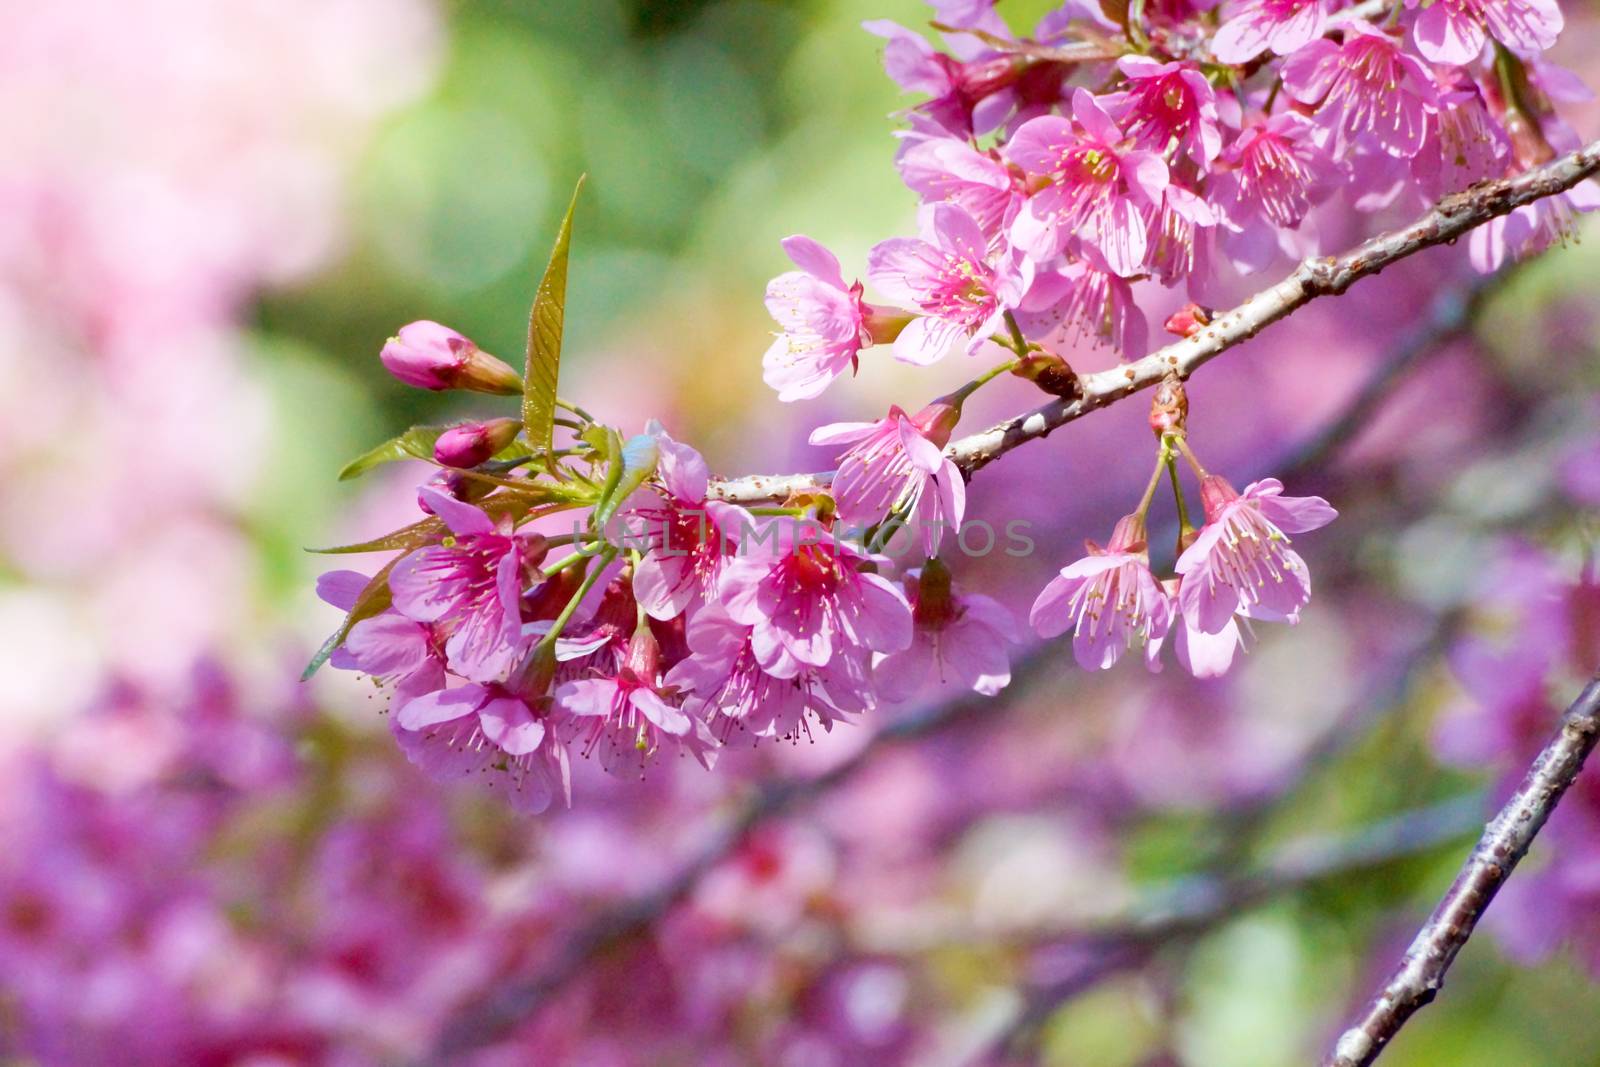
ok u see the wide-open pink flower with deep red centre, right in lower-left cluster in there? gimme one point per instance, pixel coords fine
(807, 597)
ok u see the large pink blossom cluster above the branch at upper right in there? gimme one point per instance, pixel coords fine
(1175, 145)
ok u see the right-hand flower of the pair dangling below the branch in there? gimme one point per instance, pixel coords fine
(1242, 562)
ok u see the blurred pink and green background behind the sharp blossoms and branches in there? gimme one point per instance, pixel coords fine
(215, 215)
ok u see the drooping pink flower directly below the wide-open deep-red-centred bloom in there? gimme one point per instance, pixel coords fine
(730, 687)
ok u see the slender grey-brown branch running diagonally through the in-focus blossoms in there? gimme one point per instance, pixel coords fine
(1447, 222)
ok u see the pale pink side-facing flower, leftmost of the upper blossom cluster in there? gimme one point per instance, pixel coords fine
(825, 324)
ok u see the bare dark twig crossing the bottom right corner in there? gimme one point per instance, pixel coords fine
(1420, 975)
